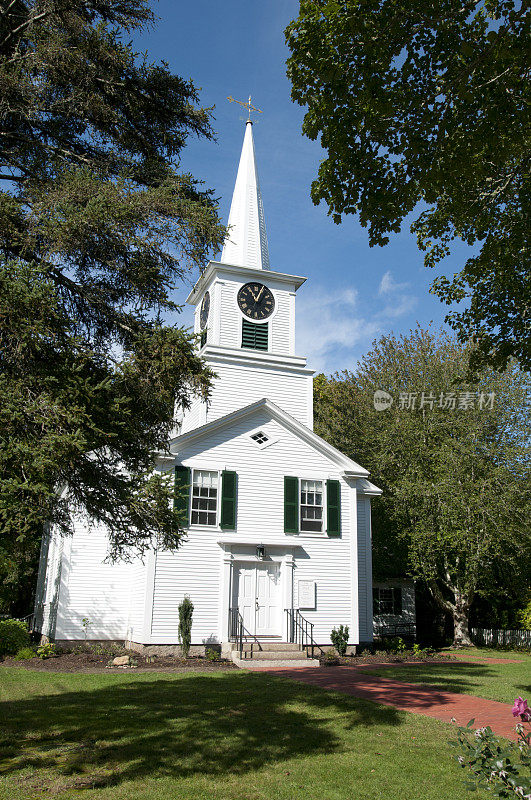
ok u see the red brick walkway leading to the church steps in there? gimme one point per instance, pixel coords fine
(412, 697)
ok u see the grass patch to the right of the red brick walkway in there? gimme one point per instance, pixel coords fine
(501, 682)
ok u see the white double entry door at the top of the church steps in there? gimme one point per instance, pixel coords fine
(256, 593)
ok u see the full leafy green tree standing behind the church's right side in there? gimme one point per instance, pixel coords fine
(452, 458)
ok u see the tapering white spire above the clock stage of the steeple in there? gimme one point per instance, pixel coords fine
(246, 242)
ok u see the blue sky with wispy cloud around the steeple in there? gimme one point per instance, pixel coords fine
(354, 293)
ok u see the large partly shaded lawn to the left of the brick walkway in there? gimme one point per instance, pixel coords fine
(224, 736)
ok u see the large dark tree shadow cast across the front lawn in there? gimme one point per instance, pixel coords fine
(230, 723)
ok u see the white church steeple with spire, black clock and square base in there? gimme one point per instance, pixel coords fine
(245, 315)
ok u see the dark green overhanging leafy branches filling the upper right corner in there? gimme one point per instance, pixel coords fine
(427, 101)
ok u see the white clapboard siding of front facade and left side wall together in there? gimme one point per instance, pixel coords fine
(117, 600)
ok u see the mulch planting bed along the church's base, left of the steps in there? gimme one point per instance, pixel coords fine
(92, 663)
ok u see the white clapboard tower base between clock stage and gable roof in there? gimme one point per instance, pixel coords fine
(239, 385)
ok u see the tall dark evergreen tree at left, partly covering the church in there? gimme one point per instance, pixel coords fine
(97, 225)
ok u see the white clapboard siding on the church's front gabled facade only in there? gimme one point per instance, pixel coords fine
(195, 569)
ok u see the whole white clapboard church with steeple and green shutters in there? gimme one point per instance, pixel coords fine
(278, 545)
